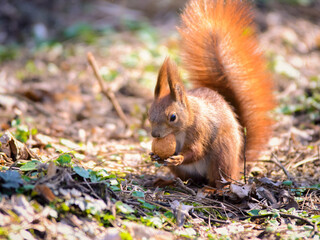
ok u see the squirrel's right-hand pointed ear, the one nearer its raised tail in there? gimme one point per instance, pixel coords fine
(177, 91)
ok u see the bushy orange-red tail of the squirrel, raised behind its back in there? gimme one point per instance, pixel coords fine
(220, 52)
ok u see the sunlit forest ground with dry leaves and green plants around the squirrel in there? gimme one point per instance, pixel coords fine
(72, 169)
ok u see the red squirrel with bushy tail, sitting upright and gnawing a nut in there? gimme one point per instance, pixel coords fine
(232, 91)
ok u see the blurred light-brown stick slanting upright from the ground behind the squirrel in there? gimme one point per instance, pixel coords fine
(107, 91)
